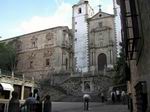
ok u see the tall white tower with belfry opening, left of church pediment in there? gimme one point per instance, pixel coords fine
(81, 12)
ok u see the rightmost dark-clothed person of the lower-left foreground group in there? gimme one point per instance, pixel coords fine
(47, 104)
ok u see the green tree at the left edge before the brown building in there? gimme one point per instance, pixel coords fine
(7, 56)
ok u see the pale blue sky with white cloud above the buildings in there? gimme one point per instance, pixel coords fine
(18, 17)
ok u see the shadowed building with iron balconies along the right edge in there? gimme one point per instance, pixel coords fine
(135, 16)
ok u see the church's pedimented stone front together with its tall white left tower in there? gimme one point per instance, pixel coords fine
(94, 38)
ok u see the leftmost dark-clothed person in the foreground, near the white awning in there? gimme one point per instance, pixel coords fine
(14, 103)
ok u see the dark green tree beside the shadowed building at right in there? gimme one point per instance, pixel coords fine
(120, 76)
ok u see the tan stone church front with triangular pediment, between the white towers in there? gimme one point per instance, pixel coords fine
(102, 42)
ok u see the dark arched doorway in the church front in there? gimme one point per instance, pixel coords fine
(102, 61)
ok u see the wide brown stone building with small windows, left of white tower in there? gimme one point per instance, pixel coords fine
(45, 52)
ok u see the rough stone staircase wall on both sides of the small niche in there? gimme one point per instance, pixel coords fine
(74, 85)
